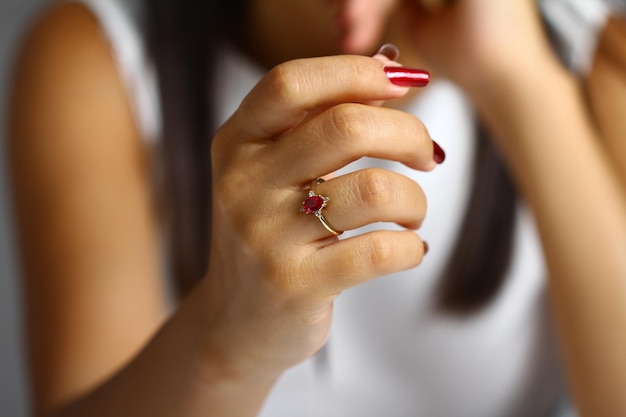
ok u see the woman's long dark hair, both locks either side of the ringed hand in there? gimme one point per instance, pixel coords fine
(183, 38)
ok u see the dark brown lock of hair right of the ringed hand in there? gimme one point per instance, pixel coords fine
(482, 254)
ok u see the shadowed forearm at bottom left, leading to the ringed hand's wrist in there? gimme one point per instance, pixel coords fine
(175, 376)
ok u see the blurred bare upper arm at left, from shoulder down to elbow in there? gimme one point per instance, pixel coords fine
(86, 223)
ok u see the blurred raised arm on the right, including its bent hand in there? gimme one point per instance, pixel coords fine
(538, 114)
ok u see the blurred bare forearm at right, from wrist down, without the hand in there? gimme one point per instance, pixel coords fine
(578, 202)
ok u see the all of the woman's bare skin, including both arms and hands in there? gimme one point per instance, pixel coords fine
(93, 246)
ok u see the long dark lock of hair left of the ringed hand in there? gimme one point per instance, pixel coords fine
(182, 39)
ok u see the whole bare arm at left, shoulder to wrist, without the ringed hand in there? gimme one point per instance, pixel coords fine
(99, 336)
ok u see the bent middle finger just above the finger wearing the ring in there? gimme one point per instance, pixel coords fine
(345, 133)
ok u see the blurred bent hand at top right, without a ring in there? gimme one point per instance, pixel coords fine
(479, 43)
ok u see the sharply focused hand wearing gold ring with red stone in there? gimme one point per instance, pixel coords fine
(274, 272)
